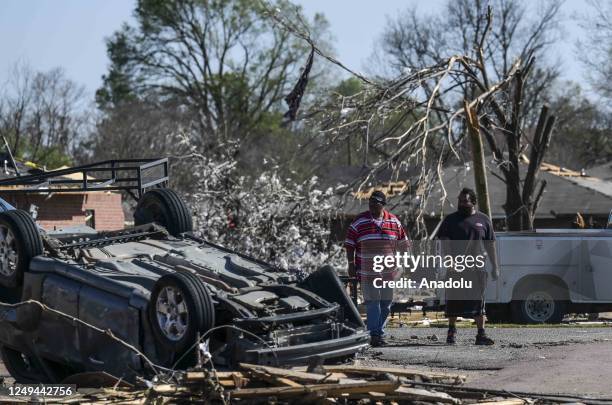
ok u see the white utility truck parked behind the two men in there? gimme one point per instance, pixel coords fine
(548, 273)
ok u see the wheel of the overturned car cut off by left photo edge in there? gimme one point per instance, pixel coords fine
(24, 242)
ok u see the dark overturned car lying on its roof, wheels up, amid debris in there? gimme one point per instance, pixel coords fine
(154, 295)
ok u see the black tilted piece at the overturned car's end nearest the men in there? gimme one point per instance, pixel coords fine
(326, 284)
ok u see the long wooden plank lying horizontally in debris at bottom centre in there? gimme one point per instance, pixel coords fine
(331, 390)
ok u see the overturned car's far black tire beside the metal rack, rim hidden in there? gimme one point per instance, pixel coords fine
(164, 207)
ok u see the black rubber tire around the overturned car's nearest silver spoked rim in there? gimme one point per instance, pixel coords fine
(200, 316)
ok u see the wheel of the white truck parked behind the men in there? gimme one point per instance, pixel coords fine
(541, 303)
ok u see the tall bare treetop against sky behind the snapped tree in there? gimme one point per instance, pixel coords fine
(412, 41)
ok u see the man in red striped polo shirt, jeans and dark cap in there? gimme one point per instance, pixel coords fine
(375, 232)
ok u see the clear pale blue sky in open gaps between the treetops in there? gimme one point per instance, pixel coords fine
(71, 33)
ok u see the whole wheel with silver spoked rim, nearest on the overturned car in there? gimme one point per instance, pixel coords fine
(180, 308)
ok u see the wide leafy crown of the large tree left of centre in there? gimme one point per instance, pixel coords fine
(223, 59)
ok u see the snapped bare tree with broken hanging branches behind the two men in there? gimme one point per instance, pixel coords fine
(425, 128)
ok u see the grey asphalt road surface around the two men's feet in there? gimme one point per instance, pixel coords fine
(560, 360)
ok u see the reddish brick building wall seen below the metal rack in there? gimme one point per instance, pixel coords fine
(61, 210)
